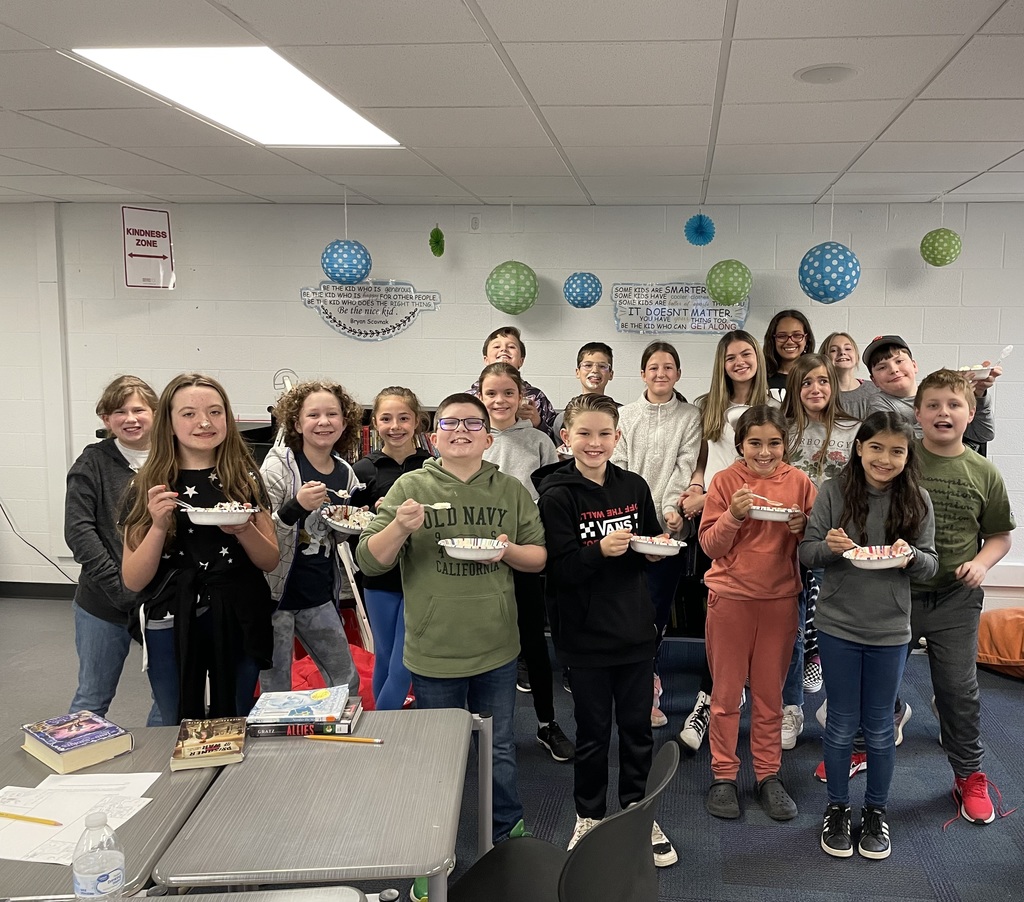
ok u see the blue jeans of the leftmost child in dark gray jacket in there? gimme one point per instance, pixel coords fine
(103, 649)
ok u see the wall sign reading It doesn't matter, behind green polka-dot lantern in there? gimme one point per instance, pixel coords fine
(653, 309)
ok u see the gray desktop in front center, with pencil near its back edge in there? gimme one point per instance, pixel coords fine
(298, 811)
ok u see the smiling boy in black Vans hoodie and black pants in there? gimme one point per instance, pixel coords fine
(603, 620)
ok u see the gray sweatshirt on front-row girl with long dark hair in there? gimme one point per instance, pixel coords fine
(872, 608)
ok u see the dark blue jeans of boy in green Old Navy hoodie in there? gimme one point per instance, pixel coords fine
(492, 692)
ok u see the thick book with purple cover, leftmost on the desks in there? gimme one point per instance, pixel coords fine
(72, 742)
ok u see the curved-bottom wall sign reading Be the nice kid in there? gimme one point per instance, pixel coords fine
(371, 311)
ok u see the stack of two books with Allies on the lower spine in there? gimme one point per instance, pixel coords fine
(306, 713)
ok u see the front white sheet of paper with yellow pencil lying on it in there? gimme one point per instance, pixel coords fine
(22, 841)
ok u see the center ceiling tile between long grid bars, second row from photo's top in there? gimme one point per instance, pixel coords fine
(611, 74)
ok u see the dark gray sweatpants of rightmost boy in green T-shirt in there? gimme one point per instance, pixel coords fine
(949, 620)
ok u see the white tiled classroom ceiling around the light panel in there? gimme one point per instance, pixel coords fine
(537, 102)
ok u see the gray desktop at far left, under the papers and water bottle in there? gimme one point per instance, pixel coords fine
(145, 837)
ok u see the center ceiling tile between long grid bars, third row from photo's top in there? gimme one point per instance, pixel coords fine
(635, 126)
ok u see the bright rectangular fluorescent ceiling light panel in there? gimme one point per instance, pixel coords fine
(250, 91)
